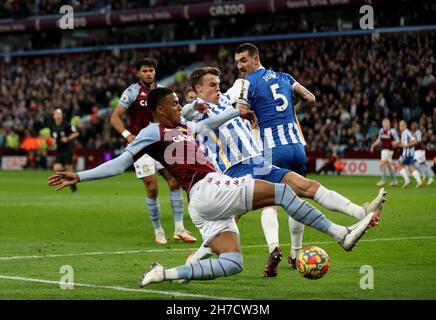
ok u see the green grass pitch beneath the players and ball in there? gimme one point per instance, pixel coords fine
(109, 215)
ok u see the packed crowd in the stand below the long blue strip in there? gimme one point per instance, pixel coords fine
(357, 82)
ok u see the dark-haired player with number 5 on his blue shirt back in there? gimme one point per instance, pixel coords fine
(270, 95)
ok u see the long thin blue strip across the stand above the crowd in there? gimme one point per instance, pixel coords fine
(201, 42)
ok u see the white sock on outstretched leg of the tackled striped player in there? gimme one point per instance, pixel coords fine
(334, 201)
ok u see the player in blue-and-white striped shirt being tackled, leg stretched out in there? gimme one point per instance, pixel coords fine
(233, 150)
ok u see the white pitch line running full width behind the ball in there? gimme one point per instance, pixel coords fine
(98, 253)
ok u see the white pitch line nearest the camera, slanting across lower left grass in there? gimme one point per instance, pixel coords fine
(86, 285)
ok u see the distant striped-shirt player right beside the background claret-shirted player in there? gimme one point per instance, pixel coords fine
(407, 143)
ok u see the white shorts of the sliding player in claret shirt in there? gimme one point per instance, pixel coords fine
(216, 199)
